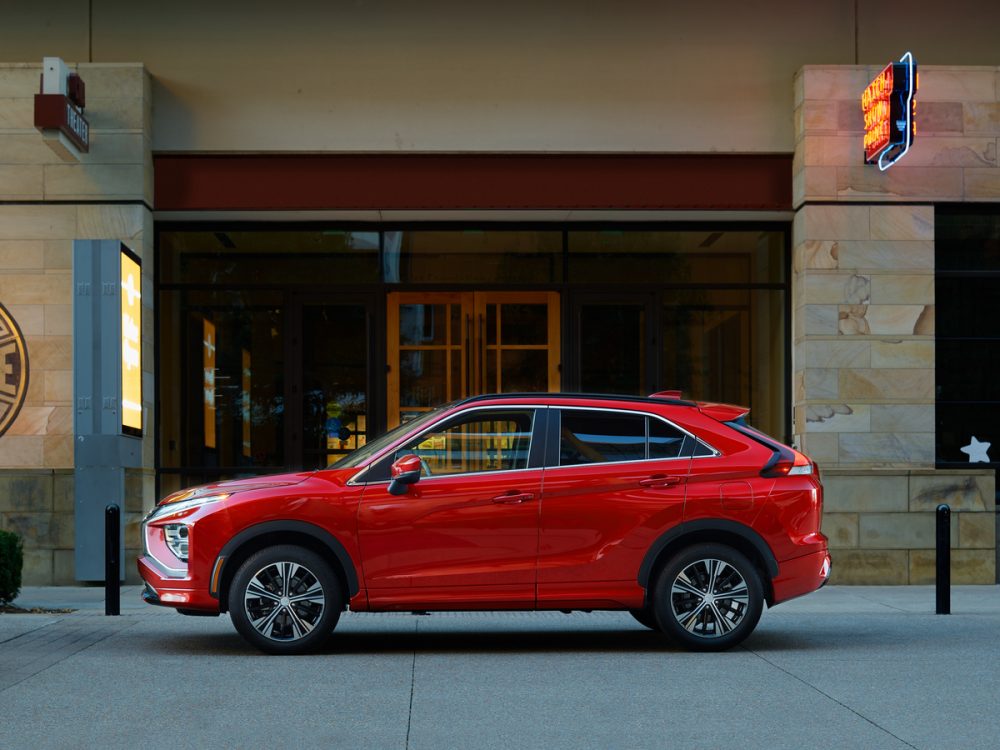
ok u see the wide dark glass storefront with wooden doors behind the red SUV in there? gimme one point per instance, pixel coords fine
(282, 348)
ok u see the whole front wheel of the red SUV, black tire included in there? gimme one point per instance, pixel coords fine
(296, 582)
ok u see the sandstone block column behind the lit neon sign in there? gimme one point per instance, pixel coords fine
(863, 319)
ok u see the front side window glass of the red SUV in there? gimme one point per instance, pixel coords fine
(496, 441)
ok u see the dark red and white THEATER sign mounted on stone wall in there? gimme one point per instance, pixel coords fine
(59, 110)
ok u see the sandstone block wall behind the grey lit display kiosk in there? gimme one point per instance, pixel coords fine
(46, 203)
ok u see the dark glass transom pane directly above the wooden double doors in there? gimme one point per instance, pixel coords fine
(473, 257)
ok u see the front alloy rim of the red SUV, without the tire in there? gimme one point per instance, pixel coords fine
(284, 601)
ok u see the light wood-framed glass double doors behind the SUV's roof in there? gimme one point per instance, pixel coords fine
(448, 345)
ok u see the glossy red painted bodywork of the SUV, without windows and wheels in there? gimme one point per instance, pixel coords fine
(556, 537)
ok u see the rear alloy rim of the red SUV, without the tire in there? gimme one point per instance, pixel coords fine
(709, 598)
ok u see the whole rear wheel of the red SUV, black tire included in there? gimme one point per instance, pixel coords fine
(685, 612)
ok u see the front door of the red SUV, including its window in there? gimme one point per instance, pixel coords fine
(467, 531)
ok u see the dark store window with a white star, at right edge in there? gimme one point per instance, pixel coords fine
(967, 346)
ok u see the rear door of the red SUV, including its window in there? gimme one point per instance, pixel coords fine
(613, 481)
